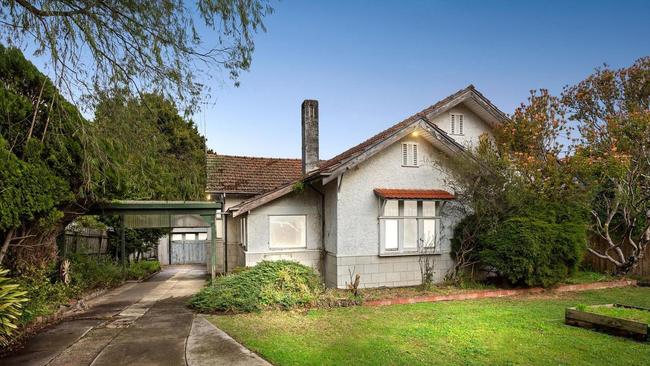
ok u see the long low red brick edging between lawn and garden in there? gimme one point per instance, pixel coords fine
(483, 294)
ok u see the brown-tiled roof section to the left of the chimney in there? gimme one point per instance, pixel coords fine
(250, 175)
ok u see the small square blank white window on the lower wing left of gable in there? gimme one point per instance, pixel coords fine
(287, 231)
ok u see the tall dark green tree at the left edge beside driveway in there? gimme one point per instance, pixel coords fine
(41, 150)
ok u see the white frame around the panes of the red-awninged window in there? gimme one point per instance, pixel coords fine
(401, 248)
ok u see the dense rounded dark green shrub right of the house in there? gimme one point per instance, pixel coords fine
(530, 251)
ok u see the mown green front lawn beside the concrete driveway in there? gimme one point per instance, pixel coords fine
(507, 331)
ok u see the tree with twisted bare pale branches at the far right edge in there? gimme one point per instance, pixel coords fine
(612, 109)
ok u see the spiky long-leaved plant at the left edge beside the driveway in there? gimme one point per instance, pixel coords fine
(11, 301)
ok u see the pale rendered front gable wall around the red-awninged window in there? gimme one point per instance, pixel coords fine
(357, 249)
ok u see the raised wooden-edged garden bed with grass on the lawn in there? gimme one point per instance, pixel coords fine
(623, 320)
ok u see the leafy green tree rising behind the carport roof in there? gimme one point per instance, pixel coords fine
(145, 150)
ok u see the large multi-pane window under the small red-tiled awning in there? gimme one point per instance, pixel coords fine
(407, 226)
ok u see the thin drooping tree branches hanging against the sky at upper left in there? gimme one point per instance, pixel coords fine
(140, 45)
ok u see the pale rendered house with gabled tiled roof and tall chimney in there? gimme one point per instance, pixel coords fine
(366, 210)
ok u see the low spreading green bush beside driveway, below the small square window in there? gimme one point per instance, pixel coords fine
(278, 284)
